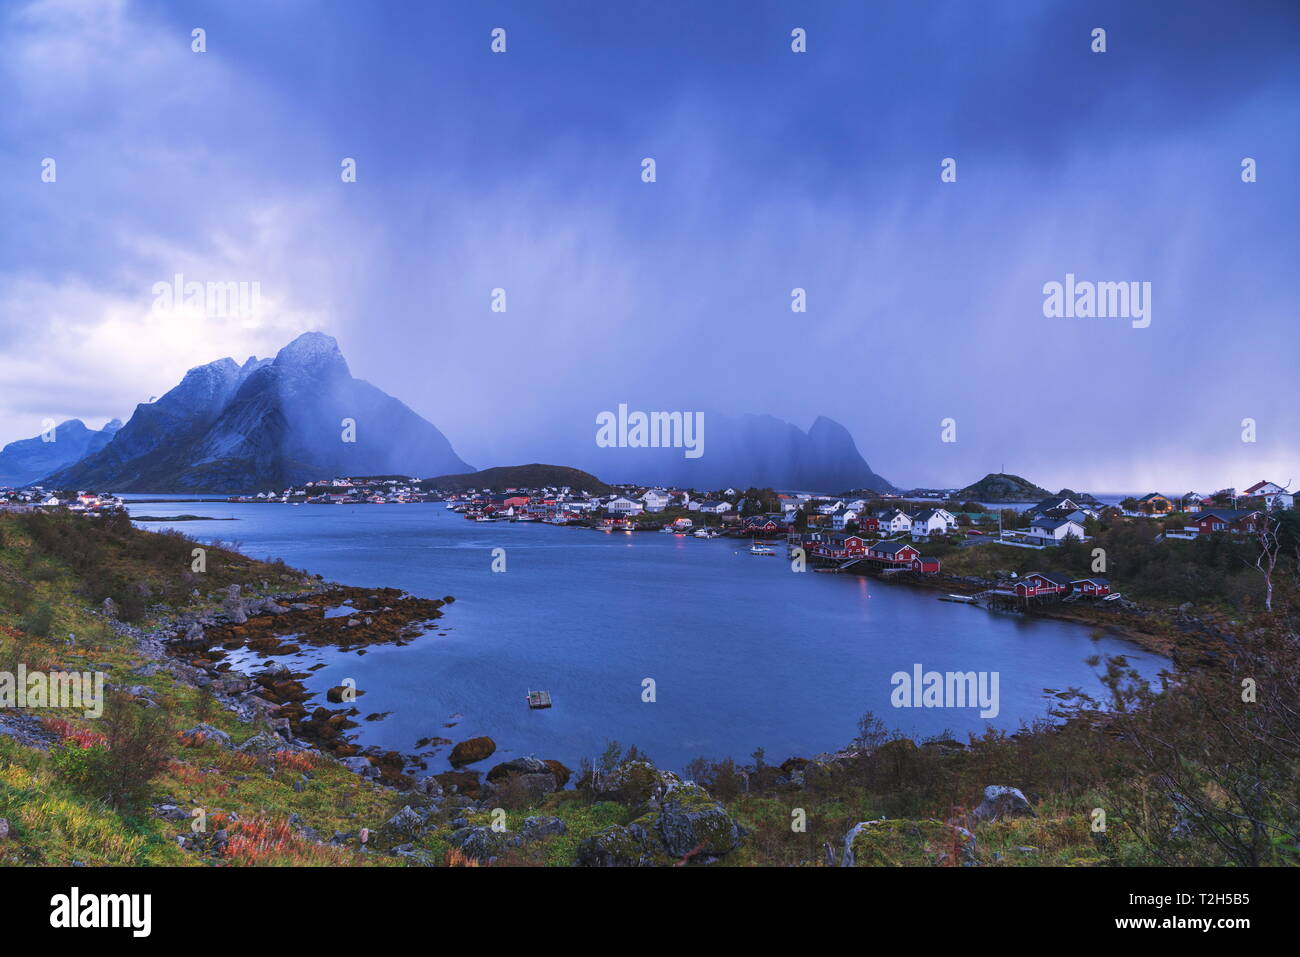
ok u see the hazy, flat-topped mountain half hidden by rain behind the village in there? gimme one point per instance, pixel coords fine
(744, 452)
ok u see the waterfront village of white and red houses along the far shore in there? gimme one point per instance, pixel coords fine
(879, 534)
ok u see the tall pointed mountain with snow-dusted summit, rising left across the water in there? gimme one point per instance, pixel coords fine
(266, 425)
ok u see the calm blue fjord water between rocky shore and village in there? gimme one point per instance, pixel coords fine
(744, 652)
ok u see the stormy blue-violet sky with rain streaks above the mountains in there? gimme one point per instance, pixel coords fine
(821, 171)
